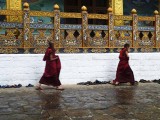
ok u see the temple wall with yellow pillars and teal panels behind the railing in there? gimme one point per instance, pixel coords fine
(120, 7)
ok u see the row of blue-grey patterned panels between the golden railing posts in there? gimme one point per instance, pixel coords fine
(70, 26)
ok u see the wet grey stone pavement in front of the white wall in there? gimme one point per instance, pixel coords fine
(77, 102)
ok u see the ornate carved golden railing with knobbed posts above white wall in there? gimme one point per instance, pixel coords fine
(28, 37)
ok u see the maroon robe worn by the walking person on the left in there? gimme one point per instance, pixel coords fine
(52, 69)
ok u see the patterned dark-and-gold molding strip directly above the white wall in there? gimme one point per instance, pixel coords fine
(74, 50)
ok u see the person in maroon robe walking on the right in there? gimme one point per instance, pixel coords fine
(124, 72)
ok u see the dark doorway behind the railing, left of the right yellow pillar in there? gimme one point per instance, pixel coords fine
(93, 6)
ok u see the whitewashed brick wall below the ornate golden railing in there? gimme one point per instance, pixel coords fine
(28, 68)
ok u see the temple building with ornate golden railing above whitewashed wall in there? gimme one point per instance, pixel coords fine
(87, 35)
